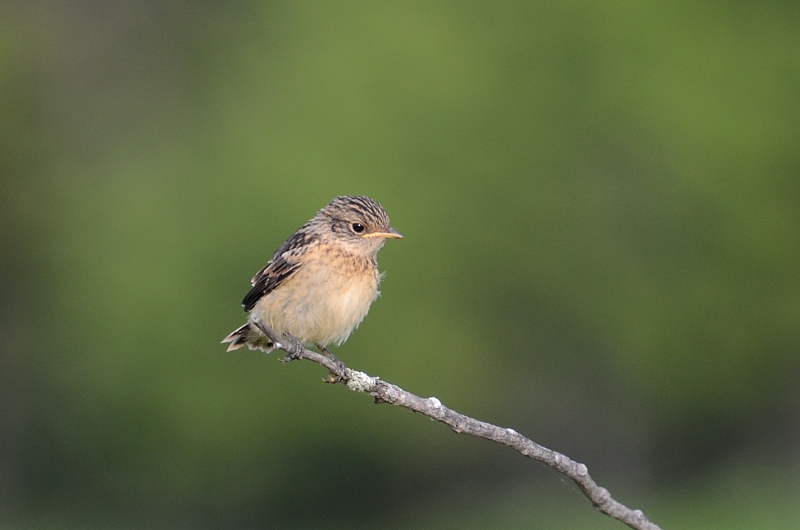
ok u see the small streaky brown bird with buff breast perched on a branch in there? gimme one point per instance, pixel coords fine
(319, 284)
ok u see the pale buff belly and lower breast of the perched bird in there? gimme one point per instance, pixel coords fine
(320, 308)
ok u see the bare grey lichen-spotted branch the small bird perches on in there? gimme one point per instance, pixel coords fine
(384, 392)
